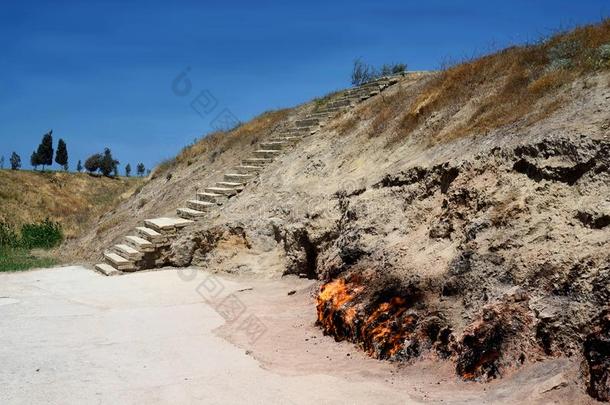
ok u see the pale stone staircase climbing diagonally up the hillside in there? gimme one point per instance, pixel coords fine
(144, 248)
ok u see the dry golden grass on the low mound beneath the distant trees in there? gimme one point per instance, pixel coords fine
(75, 200)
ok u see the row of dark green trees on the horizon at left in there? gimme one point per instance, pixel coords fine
(103, 163)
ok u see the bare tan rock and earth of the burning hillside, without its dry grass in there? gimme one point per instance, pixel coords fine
(489, 251)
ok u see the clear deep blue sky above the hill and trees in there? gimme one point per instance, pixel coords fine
(100, 73)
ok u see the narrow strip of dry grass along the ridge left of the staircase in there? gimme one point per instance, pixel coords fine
(218, 142)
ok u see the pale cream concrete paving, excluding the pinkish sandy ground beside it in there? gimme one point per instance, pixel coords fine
(71, 336)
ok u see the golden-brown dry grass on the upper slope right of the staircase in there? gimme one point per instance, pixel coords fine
(518, 83)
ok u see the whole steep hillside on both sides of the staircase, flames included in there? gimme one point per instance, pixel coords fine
(461, 215)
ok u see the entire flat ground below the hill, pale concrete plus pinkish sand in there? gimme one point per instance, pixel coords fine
(71, 336)
